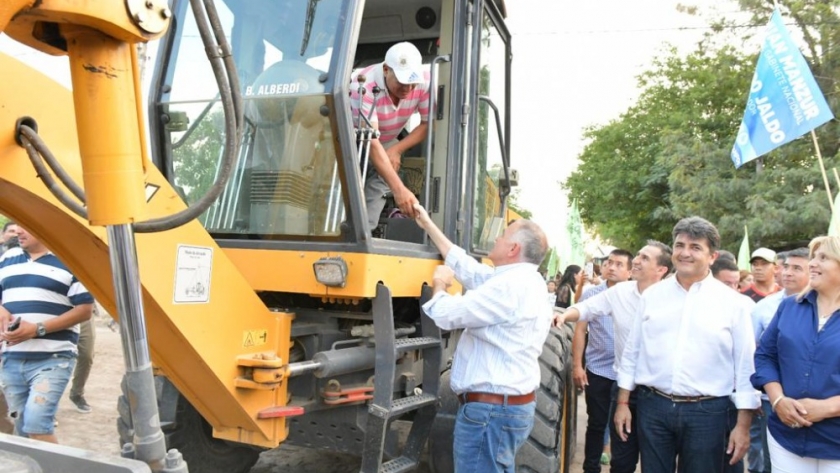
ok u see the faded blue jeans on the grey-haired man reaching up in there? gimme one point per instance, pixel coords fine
(487, 436)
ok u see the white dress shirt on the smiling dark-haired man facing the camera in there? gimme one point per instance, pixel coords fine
(698, 342)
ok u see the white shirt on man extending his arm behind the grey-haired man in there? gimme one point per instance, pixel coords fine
(621, 302)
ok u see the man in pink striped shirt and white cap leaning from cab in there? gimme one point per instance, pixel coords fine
(404, 89)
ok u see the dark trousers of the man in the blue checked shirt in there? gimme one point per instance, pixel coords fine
(597, 395)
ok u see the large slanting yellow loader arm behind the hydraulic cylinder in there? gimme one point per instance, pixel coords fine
(196, 344)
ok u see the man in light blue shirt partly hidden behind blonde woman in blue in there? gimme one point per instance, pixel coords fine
(794, 280)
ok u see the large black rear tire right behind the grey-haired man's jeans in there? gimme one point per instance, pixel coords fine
(551, 443)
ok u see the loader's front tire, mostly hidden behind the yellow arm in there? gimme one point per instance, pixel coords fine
(185, 429)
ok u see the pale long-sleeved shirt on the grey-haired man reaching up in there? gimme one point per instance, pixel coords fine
(505, 320)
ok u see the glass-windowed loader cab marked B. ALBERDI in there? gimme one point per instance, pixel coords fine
(296, 182)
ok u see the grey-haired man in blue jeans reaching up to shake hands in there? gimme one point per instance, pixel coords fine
(505, 319)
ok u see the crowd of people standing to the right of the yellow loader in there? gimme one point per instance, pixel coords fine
(686, 363)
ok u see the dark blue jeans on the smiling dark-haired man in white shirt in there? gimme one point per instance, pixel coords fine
(688, 437)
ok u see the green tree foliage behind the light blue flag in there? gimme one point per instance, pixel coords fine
(667, 156)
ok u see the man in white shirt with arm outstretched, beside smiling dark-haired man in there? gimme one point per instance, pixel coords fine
(621, 303)
